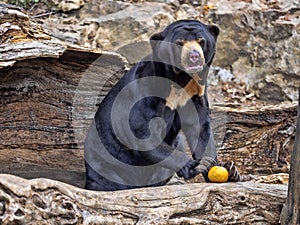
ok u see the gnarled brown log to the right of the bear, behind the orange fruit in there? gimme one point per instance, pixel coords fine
(259, 139)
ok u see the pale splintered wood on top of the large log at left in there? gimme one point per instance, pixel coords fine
(23, 39)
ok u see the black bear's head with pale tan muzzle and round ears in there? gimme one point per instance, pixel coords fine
(185, 45)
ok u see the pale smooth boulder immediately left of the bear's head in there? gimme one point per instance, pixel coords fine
(133, 23)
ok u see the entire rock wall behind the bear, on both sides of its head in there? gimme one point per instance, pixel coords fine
(258, 44)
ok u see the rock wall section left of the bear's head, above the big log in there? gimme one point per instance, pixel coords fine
(109, 25)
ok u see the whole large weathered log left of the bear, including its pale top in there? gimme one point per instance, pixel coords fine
(41, 78)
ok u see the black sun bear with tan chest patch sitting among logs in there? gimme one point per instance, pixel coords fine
(134, 140)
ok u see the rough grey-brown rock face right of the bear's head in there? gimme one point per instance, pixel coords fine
(261, 47)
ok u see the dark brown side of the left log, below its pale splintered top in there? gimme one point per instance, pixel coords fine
(40, 115)
